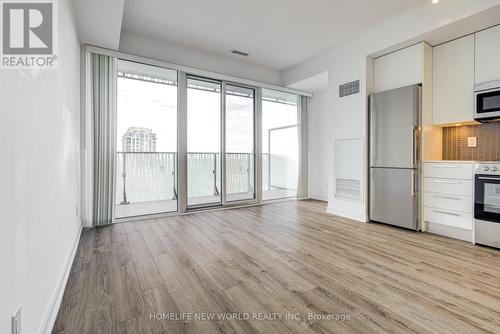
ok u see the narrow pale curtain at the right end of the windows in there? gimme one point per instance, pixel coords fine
(303, 186)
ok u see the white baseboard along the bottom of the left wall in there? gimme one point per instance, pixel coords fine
(56, 300)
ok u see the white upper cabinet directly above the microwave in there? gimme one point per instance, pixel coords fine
(488, 55)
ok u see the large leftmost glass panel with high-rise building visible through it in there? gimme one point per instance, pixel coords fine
(146, 166)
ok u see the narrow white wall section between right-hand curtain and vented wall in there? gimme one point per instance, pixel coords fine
(318, 145)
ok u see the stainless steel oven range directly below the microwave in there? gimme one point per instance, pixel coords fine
(487, 204)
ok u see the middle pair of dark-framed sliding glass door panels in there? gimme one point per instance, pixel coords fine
(220, 143)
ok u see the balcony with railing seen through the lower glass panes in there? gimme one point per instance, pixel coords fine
(146, 181)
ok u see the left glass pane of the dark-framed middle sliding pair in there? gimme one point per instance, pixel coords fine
(203, 142)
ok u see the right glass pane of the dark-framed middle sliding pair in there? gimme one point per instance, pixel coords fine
(239, 143)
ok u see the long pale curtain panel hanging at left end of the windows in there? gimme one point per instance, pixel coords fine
(101, 108)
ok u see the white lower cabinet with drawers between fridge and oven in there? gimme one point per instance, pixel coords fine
(448, 199)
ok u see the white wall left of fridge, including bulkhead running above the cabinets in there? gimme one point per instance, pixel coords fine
(348, 62)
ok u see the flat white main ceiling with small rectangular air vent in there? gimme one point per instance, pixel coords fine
(277, 33)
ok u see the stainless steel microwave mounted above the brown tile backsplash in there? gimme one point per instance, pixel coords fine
(487, 101)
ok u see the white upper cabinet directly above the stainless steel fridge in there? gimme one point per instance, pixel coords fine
(398, 69)
